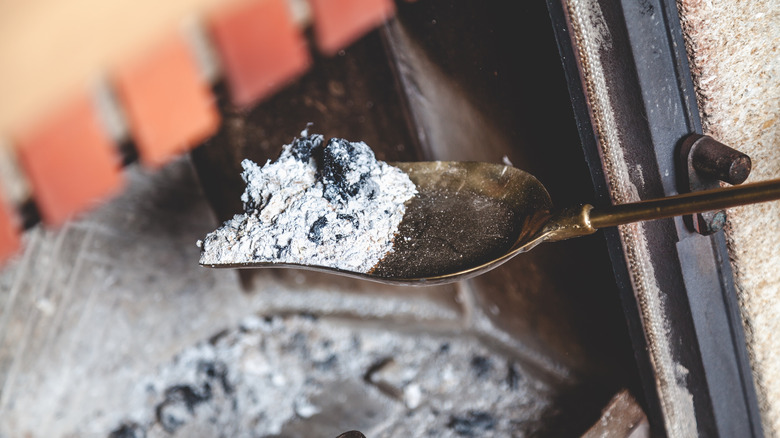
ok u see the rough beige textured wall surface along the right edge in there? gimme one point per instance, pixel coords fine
(734, 49)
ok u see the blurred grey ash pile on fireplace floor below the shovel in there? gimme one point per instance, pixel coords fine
(304, 376)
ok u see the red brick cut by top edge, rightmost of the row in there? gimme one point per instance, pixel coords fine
(338, 23)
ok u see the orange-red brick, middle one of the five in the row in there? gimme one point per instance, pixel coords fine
(168, 104)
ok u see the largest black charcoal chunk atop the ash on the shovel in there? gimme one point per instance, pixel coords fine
(340, 158)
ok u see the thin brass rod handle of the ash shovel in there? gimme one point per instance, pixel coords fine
(688, 203)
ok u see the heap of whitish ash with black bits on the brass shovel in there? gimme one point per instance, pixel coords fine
(334, 206)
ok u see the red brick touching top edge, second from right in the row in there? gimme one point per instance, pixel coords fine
(260, 48)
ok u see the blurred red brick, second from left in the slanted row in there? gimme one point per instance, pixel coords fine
(70, 161)
